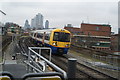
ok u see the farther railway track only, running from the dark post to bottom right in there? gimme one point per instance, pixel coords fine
(92, 72)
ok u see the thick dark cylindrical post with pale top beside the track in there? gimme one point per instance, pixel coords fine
(71, 67)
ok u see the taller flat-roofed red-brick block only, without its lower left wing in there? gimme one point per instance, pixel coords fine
(96, 29)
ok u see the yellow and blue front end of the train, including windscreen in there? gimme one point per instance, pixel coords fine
(60, 41)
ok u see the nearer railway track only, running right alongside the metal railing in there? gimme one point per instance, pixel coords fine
(62, 62)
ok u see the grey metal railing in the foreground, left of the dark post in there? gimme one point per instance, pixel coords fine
(35, 61)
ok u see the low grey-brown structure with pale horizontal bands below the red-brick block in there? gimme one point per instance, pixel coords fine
(94, 42)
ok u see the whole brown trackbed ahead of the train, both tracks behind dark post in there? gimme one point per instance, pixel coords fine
(82, 71)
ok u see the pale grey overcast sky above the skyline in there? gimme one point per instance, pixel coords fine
(62, 13)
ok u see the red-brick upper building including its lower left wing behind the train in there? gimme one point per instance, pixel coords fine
(91, 29)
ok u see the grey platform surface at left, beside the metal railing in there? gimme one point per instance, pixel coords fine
(11, 65)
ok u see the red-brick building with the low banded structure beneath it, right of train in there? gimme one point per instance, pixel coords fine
(95, 36)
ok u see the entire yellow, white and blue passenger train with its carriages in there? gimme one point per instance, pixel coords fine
(57, 39)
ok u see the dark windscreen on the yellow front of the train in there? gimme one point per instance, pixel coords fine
(61, 36)
